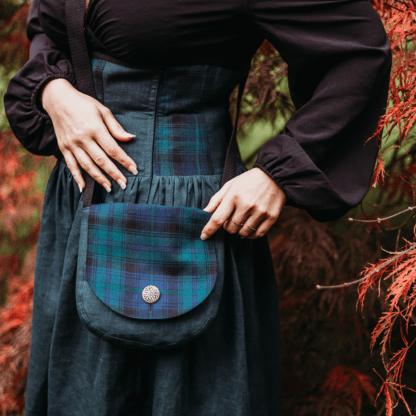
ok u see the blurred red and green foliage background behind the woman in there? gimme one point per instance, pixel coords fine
(327, 365)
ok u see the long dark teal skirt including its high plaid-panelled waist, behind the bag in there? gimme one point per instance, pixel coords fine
(180, 117)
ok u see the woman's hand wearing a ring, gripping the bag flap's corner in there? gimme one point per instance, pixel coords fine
(250, 200)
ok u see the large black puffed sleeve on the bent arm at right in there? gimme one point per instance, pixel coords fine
(339, 62)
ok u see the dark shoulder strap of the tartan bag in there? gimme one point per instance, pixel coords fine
(74, 16)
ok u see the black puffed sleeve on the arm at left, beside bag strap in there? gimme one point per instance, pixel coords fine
(29, 122)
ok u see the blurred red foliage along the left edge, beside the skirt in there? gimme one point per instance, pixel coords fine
(20, 207)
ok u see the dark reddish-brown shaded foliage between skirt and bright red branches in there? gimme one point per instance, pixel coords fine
(323, 336)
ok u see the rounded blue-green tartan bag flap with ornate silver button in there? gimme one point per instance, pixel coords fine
(148, 261)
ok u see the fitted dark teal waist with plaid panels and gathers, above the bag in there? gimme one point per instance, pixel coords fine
(180, 116)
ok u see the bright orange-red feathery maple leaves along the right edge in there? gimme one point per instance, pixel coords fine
(399, 268)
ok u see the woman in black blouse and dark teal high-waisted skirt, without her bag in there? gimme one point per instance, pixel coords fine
(339, 67)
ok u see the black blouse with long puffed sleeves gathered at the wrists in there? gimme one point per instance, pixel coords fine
(338, 58)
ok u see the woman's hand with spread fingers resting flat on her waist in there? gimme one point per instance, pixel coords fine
(85, 130)
